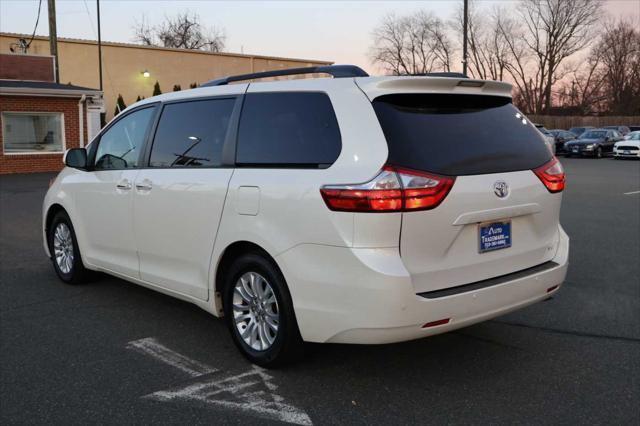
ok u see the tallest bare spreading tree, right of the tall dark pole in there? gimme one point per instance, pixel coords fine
(551, 30)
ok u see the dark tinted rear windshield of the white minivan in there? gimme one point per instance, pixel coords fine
(459, 134)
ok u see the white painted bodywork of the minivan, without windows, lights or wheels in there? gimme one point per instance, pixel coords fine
(353, 277)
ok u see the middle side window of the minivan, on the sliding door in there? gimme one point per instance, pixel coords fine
(191, 134)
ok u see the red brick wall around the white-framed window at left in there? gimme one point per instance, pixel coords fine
(25, 163)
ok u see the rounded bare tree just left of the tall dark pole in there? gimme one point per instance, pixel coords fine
(414, 44)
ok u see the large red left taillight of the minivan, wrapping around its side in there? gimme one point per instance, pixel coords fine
(394, 189)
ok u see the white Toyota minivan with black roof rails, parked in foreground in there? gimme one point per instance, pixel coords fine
(351, 209)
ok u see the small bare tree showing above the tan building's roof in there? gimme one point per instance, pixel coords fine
(183, 31)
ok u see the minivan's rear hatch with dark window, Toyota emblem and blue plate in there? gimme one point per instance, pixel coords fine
(498, 218)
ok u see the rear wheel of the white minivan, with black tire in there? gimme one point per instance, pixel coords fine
(265, 347)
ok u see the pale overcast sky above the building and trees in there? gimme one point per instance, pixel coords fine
(328, 30)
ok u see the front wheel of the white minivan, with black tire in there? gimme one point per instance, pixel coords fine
(65, 254)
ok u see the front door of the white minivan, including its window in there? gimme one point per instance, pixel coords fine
(105, 197)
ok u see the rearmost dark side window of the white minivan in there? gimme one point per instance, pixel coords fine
(288, 130)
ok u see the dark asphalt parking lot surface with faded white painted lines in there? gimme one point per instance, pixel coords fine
(113, 352)
